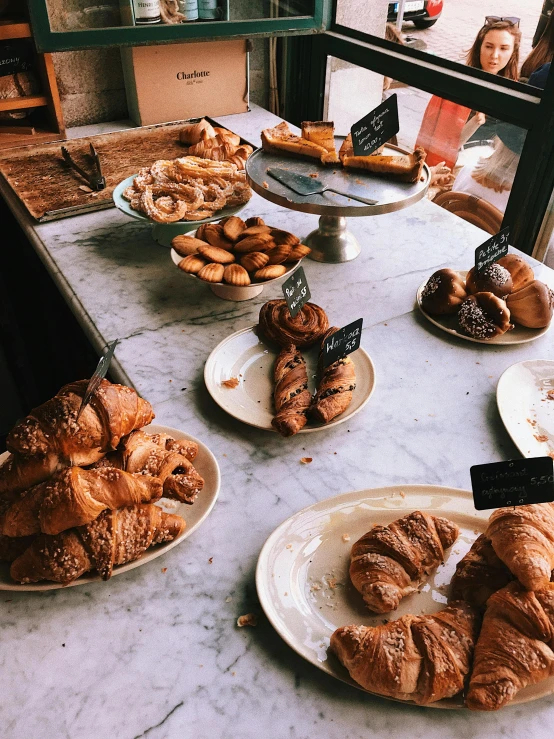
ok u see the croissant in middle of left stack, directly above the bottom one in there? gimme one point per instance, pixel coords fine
(73, 496)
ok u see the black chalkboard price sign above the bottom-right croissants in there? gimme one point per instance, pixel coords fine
(518, 482)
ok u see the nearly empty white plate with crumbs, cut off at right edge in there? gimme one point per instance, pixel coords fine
(525, 407)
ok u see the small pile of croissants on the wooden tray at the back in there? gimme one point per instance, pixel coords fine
(212, 142)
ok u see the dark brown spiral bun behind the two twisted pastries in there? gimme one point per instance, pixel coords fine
(279, 327)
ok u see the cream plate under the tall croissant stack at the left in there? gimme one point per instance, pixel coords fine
(194, 515)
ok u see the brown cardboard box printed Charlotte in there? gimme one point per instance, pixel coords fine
(177, 81)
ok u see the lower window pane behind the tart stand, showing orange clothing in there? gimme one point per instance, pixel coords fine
(469, 152)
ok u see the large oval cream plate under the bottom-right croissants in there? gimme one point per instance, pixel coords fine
(302, 573)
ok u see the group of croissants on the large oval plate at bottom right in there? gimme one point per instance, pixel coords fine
(495, 637)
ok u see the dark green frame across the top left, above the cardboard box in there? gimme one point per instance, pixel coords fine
(47, 40)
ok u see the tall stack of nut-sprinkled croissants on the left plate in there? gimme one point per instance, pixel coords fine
(78, 489)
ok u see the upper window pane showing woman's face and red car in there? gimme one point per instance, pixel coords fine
(493, 35)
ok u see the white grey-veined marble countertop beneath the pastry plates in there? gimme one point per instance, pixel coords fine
(157, 654)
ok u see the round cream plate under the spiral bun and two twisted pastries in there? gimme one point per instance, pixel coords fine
(244, 356)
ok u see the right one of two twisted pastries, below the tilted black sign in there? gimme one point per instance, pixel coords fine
(334, 390)
